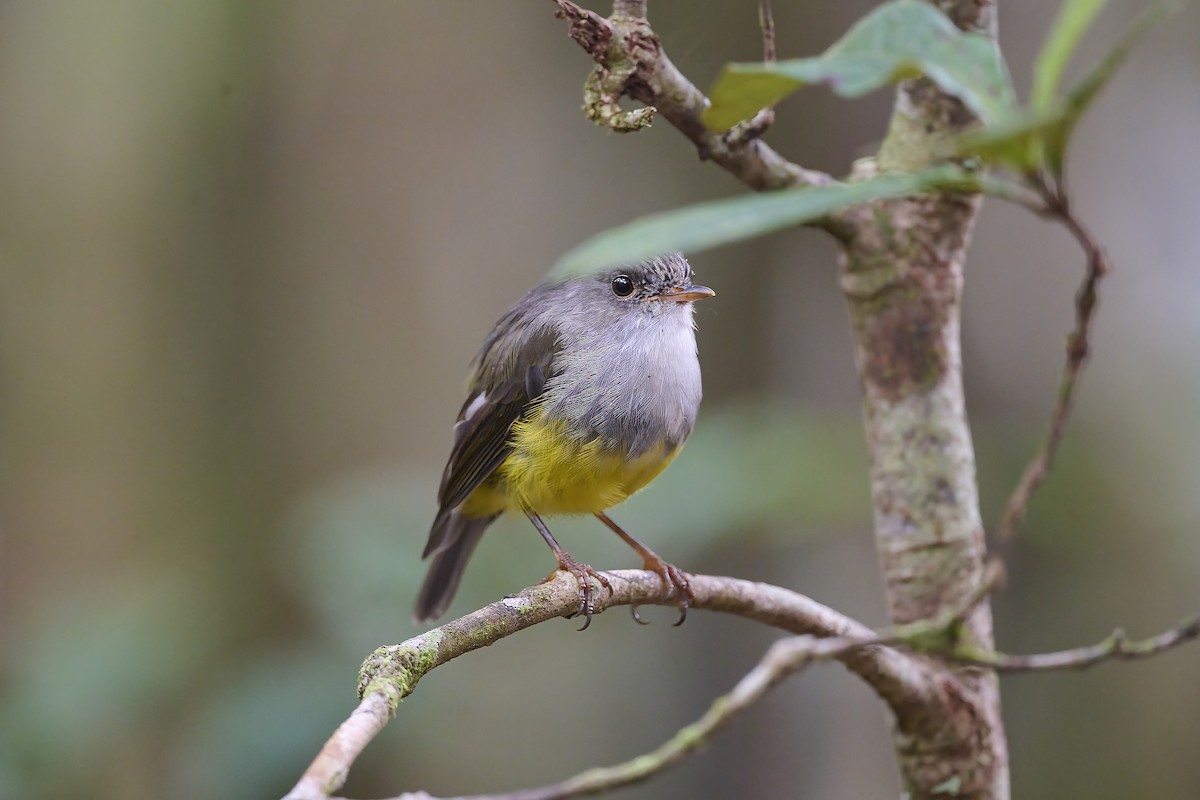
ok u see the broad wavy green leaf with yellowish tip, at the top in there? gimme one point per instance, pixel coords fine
(898, 40)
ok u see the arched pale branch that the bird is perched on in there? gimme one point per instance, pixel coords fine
(915, 689)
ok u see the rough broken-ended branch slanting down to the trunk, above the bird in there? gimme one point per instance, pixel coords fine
(631, 63)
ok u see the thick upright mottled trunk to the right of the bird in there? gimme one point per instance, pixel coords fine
(903, 278)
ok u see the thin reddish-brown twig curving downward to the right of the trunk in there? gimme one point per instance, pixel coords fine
(1058, 206)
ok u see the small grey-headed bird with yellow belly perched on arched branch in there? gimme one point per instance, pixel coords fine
(580, 396)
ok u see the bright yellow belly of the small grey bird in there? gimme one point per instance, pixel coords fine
(551, 473)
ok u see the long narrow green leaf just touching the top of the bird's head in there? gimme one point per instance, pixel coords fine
(722, 222)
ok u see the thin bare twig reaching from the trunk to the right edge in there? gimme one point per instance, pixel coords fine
(1115, 648)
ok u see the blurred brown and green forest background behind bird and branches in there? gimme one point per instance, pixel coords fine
(247, 254)
